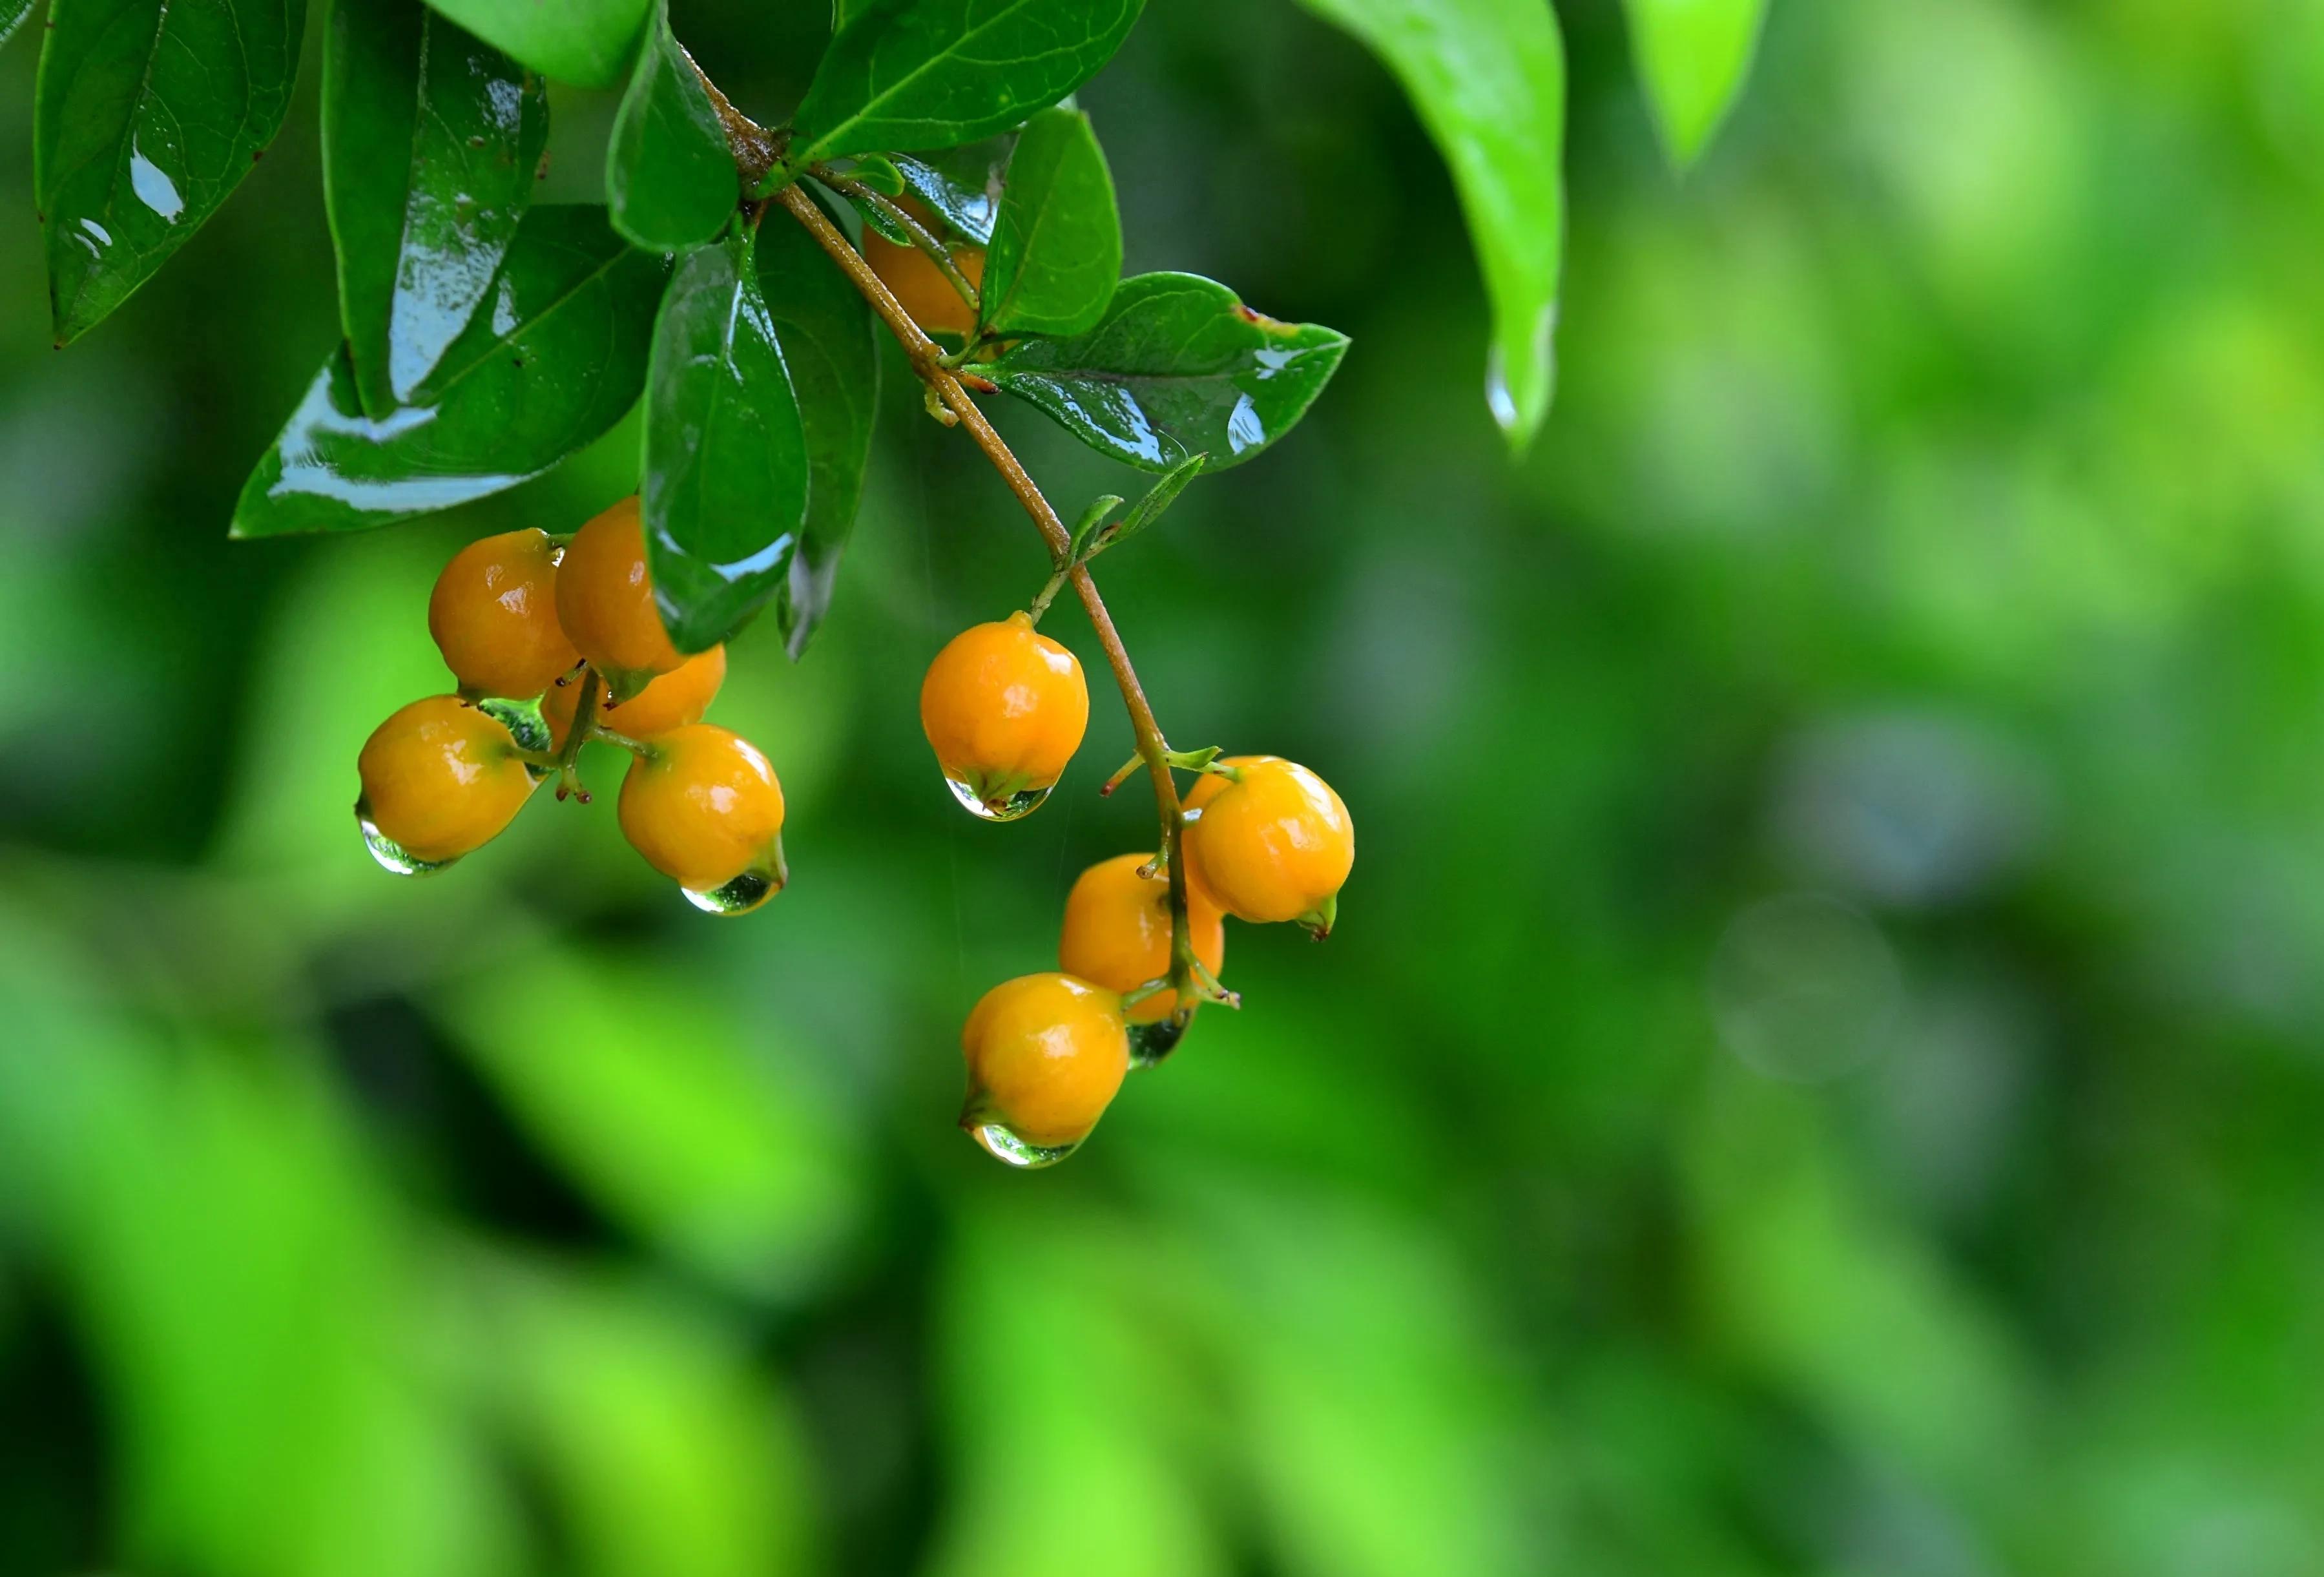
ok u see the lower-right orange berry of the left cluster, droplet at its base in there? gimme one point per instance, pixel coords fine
(703, 806)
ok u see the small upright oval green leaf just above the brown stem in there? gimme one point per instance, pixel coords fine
(1059, 245)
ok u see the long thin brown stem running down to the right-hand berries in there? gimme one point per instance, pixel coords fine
(1154, 750)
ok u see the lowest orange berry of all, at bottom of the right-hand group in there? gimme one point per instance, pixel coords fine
(1047, 1055)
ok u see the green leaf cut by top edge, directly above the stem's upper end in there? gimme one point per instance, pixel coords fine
(940, 73)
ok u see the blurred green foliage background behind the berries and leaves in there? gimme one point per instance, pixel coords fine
(1821, 1062)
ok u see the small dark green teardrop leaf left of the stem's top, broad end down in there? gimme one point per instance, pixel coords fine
(668, 173)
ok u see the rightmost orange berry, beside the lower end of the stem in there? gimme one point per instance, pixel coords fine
(1272, 843)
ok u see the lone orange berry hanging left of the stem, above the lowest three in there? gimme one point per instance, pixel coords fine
(1005, 708)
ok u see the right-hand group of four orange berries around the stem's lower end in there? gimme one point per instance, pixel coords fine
(1263, 841)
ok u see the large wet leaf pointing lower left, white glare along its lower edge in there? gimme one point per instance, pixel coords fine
(554, 359)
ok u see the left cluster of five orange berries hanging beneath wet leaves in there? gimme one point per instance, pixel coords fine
(554, 645)
